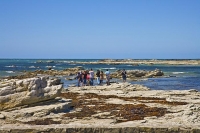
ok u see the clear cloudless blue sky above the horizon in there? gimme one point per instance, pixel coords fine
(94, 29)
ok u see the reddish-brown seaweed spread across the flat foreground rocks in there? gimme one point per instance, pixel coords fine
(90, 104)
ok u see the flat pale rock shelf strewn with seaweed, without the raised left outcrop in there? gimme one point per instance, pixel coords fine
(182, 114)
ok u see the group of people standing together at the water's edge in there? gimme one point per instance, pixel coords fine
(86, 78)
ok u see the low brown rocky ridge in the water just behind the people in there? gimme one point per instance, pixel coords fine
(72, 72)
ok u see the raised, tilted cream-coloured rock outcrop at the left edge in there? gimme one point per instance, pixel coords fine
(16, 92)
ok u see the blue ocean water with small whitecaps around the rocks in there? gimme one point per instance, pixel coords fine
(176, 77)
